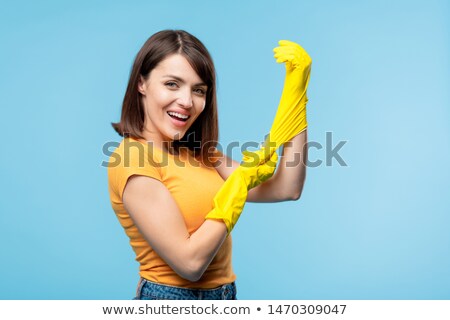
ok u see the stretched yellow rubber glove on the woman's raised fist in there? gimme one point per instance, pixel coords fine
(290, 118)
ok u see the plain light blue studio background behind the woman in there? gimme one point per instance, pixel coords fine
(376, 229)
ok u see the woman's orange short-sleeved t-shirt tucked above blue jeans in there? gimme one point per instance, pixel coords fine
(192, 184)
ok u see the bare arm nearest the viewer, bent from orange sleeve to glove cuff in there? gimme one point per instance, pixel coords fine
(156, 215)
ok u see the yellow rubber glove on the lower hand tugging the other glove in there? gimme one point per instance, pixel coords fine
(230, 199)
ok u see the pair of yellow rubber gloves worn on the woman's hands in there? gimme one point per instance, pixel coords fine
(290, 120)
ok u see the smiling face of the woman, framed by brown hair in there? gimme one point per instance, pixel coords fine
(173, 97)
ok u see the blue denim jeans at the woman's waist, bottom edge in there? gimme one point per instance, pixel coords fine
(148, 290)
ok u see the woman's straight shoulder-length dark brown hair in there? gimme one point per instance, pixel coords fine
(203, 133)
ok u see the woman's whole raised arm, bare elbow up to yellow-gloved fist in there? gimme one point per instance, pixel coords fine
(288, 129)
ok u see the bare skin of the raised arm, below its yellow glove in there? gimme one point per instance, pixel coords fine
(287, 182)
